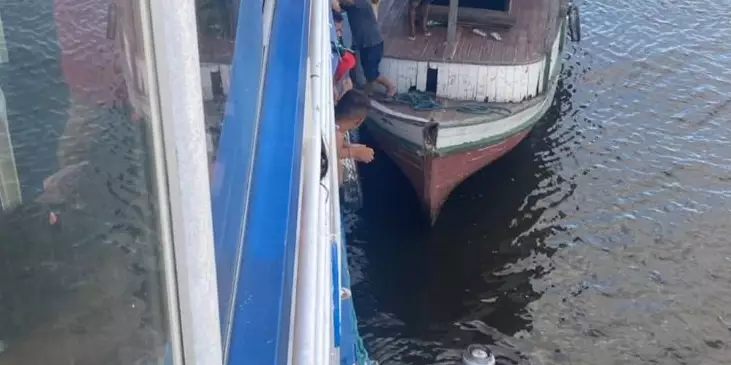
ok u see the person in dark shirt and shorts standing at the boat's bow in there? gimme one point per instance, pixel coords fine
(367, 40)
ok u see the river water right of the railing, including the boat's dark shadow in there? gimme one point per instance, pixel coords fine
(601, 239)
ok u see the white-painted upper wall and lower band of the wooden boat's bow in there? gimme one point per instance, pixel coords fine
(507, 83)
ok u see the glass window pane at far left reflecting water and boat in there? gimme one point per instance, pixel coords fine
(80, 278)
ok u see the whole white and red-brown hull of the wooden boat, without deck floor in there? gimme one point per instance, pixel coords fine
(438, 149)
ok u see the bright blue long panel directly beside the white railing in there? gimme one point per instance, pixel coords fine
(262, 314)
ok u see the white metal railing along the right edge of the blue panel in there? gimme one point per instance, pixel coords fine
(316, 316)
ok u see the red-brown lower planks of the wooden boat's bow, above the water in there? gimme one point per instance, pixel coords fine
(435, 177)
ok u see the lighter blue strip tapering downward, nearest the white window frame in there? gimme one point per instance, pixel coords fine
(231, 180)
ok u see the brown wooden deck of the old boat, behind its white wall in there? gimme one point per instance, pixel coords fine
(524, 42)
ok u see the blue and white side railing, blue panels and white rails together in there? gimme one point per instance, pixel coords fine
(275, 221)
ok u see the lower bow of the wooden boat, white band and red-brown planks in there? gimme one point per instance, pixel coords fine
(436, 158)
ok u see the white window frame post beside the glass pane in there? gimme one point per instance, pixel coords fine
(170, 44)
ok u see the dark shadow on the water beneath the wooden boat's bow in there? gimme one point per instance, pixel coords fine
(430, 283)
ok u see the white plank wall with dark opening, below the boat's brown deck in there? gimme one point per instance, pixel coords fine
(471, 82)
